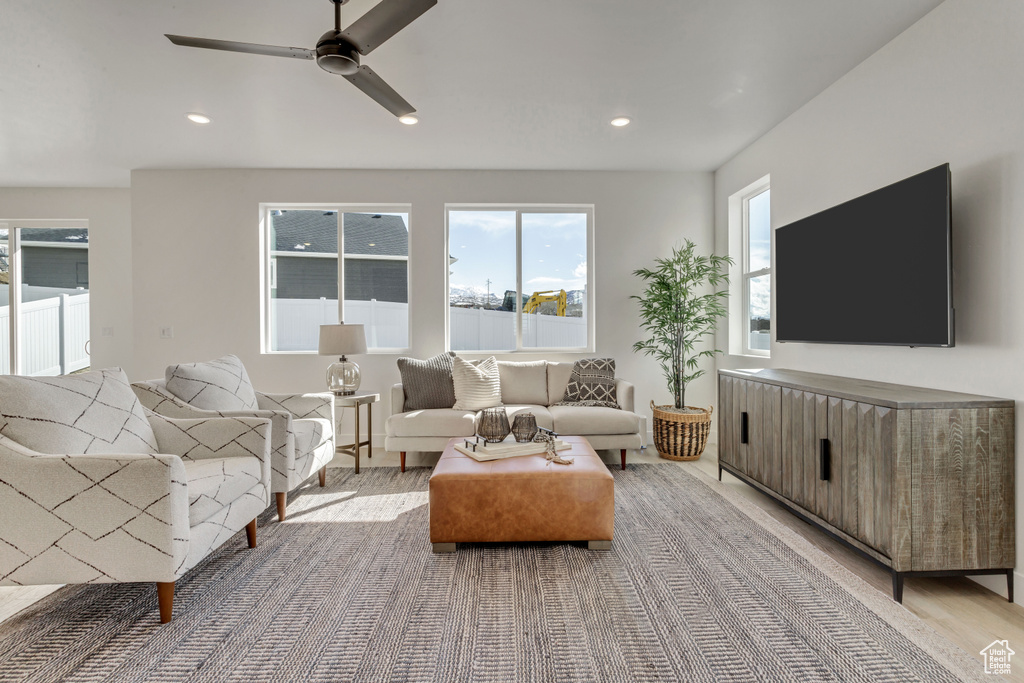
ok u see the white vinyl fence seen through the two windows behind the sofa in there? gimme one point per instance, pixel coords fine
(296, 326)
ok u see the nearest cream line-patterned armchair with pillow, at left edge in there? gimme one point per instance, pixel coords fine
(94, 490)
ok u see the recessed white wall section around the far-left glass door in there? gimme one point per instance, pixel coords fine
(109, 214)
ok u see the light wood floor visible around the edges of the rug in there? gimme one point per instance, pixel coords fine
(967, 614)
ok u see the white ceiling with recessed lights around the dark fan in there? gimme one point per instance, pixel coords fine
(91, 91)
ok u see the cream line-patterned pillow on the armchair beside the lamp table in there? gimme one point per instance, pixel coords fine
(216, 386)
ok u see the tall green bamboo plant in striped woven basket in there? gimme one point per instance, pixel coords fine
(685, 296)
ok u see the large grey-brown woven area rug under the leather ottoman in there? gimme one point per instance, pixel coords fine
(700, 586)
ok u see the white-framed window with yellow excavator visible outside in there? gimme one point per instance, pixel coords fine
(519, 279)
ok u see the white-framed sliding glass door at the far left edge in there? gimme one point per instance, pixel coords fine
(45, 297)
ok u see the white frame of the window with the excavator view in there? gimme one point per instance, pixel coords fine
(520, 210)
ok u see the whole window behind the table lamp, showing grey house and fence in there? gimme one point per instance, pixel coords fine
(307, 285)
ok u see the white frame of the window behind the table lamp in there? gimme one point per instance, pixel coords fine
(269, 268)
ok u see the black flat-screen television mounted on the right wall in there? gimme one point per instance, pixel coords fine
(877, 270)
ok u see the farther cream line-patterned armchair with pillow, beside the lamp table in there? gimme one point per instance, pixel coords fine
(303, 433)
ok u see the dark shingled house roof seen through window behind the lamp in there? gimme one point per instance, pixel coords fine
(307, 232)
